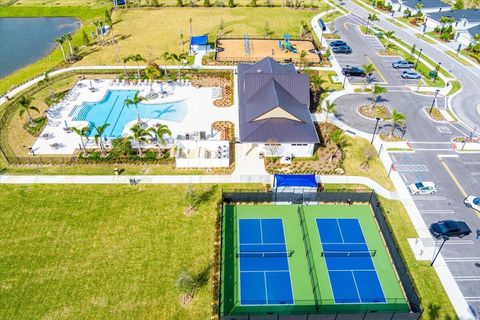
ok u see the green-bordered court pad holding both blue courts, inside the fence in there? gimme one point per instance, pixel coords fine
(294, 259)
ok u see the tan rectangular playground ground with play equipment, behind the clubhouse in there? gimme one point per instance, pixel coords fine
(250, 48)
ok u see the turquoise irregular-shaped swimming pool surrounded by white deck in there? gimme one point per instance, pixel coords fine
(112, 109)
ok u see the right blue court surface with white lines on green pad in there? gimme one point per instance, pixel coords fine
(353, 277)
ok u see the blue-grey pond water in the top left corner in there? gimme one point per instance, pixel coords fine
(26, 40)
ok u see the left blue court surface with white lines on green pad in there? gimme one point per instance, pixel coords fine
(264, 268)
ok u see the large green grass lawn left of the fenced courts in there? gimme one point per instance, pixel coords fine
(111, 252)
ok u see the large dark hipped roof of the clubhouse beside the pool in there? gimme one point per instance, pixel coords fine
(267, 86)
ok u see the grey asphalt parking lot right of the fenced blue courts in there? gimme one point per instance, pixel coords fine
(461, 255)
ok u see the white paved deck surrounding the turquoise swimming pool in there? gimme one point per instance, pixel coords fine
(55, 139)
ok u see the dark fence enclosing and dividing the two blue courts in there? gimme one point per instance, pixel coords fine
(365, 196)
